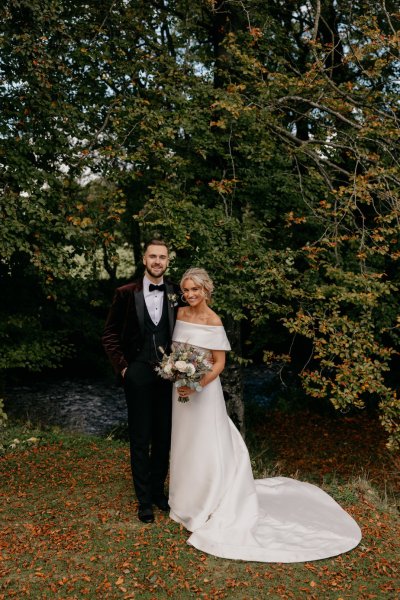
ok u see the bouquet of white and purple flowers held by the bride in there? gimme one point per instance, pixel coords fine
(185, 366)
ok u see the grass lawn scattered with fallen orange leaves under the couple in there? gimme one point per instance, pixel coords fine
(69, 526)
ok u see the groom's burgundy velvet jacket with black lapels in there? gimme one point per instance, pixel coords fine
(124, 330)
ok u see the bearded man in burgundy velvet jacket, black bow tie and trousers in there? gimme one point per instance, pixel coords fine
(141, 320)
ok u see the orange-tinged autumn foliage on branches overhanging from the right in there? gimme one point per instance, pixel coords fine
(303, 133)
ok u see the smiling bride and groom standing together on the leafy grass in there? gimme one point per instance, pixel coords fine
(211, 491)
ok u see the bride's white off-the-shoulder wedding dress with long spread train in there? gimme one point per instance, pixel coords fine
(213, 493)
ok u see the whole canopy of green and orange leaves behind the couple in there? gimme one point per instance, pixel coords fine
(260, 138)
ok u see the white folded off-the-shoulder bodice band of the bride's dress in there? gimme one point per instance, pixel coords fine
(206, 337)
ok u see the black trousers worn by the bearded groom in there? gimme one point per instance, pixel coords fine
(149, 401)
